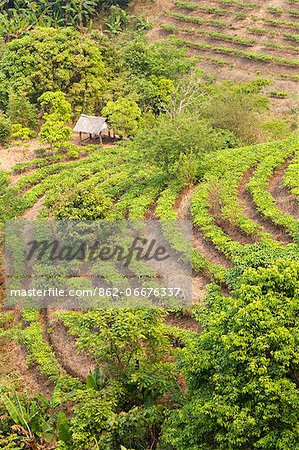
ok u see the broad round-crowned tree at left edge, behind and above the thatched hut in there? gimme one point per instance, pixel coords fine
(49, 59)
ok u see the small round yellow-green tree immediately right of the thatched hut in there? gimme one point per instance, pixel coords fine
(124, 115)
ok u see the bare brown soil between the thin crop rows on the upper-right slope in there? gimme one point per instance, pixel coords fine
(237, 68)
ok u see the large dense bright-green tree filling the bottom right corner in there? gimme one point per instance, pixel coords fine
(242, 370)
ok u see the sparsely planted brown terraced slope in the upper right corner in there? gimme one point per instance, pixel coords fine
(255, 40)
